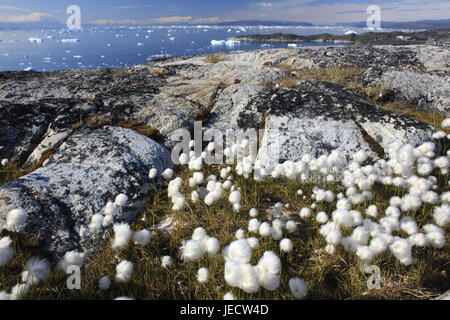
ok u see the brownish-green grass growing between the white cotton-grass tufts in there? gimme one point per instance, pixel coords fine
(327, 277)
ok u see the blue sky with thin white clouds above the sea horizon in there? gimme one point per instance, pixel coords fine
(202, 11)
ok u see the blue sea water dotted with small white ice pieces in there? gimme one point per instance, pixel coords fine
(117, 46)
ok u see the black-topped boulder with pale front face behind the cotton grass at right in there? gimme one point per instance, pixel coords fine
(315, 119)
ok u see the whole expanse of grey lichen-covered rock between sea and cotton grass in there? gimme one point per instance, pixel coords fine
(86, 120)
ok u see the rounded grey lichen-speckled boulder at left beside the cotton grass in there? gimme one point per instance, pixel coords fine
(89, 169)
